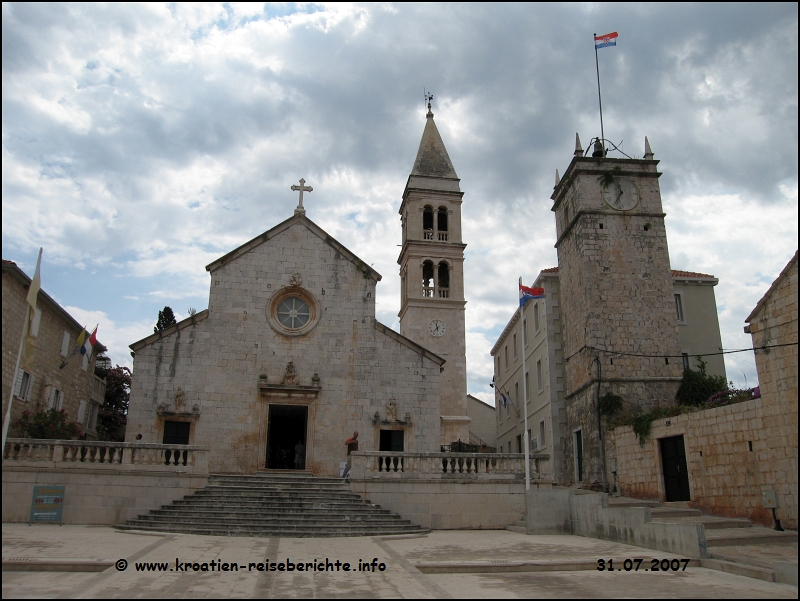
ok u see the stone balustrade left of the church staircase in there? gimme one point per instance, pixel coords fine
(87, 453)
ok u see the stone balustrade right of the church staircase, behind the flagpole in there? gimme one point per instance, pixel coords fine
(475, 466)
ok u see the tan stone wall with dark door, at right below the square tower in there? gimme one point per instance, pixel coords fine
(732, 454)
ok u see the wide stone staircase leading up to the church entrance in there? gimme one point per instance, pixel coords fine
(269, 505)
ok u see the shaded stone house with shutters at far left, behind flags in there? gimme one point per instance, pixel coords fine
(41, 382)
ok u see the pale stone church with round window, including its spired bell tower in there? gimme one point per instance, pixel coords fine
(288, 360)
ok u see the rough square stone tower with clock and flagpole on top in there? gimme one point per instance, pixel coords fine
(618, 311)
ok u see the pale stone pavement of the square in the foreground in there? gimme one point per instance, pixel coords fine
(444, 564)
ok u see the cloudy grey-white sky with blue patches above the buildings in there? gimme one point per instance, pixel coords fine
(141, 142)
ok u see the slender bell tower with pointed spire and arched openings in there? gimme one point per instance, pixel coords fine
(432, 274)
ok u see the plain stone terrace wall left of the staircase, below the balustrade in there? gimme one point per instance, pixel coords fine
(94, 495)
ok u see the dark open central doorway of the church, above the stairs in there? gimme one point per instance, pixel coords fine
(286, 437)
